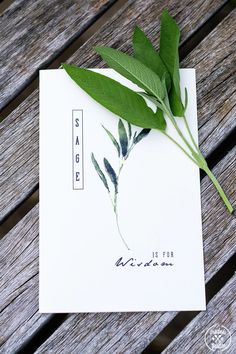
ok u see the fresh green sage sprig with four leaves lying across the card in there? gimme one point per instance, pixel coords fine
(157, 74)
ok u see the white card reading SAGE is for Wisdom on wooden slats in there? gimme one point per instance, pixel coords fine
(85, 265)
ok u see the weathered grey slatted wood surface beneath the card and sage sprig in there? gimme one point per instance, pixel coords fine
(39, 34)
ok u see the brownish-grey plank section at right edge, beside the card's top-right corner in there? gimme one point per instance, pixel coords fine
(216, 82)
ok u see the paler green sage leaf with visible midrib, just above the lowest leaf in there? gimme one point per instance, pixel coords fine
(133, 70)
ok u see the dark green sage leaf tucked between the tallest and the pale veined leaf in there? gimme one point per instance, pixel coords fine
(146, 53)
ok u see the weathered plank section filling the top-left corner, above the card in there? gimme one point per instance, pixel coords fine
(34, 32)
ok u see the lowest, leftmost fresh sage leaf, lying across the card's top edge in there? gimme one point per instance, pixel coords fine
(115, 97)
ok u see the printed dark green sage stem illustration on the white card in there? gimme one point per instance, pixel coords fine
(124, 145)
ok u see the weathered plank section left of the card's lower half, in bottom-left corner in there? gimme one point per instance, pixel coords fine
(19, 283)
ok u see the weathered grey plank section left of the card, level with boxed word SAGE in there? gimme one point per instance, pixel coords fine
(19, 145)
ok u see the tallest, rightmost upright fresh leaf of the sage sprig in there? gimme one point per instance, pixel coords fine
(169, 53)
